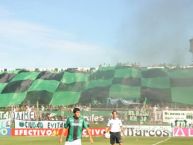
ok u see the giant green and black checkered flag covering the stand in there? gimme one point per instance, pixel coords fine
(68, 88)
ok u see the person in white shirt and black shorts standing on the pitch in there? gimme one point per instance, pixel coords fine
(114, 125)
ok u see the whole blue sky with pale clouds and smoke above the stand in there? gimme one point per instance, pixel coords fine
(87, 33)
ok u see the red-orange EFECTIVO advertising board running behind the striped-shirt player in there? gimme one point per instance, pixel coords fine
(51, 132)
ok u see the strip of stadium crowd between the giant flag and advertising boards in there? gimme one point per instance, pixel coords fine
(134, 115)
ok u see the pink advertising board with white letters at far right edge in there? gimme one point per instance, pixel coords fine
(183, 132)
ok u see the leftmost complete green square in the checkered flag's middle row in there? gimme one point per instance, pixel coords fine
(48, 85)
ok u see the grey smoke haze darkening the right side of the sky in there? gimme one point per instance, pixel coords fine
(157, 32)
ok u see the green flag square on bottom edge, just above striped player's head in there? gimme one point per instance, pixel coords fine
(65, 98)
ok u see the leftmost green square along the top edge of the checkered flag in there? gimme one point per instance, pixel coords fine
(26, 76)
